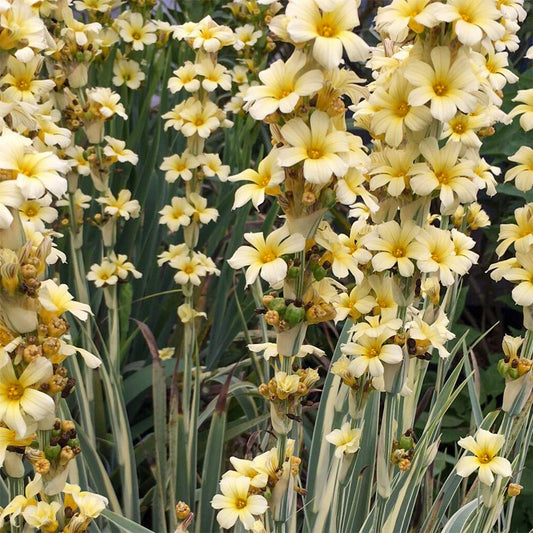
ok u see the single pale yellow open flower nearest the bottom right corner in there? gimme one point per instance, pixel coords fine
(484, 448)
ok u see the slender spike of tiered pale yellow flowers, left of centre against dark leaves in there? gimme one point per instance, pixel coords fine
(196, 117)
